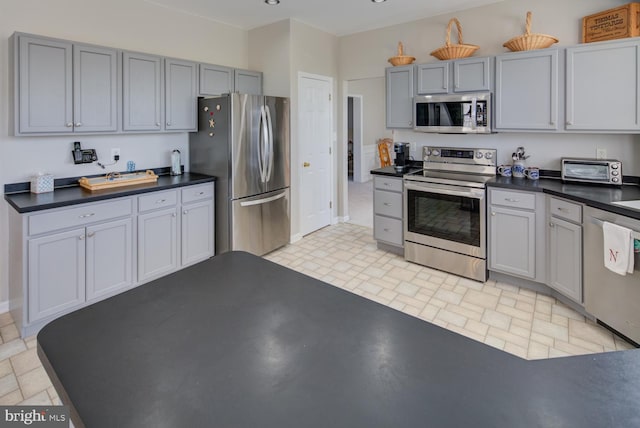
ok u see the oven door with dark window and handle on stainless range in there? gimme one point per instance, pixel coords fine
(446, 216)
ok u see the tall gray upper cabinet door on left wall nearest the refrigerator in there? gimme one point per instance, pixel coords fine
(181, 95)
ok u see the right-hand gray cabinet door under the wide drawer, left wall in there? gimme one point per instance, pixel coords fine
(109, 258)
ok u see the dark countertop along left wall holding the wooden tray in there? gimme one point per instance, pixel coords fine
(25, 202)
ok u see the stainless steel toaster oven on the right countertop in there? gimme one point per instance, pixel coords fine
(603, 171)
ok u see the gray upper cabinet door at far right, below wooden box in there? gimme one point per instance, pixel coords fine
(603, 87)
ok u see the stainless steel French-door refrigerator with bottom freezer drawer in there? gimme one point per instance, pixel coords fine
(243, 140)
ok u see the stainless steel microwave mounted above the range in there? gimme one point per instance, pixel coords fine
(453, 114)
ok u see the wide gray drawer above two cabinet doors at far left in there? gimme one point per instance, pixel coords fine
(78, 216)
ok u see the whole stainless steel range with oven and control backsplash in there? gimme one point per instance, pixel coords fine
(445, 223)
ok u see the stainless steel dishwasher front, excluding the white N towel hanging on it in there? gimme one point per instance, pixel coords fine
(613, 299)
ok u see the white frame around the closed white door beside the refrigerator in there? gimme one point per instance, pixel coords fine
(332, 152)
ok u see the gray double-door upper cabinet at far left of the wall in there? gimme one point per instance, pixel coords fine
(63, 87)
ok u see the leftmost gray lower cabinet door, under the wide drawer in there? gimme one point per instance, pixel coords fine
(56, 273)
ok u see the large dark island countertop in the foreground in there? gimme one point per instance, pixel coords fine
(238, 341)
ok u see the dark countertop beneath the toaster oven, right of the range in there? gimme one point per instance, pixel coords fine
(596, 196)
